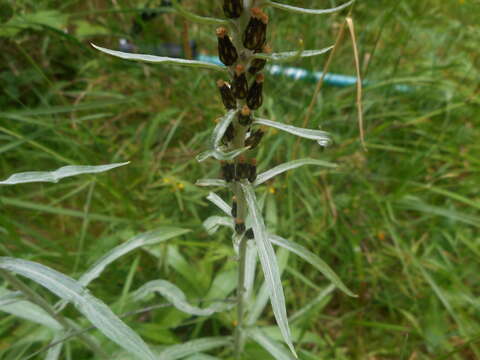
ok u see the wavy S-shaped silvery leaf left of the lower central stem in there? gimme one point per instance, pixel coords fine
(176, 297)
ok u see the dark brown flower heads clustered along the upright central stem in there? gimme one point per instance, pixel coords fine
(244, 93)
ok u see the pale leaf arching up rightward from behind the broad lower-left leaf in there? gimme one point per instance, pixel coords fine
(145, 239)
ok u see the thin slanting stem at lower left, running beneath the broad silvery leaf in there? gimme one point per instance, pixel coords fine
(38, 300)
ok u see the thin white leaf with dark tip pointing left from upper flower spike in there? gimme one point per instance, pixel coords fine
(160, 59)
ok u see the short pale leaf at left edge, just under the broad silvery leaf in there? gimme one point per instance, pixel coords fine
(13, 304)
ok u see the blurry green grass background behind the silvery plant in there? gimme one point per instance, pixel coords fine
(399, 224)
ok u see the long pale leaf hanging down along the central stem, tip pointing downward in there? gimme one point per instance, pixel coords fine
(269, 264)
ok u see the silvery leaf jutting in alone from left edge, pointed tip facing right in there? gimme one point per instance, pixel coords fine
(55, 176)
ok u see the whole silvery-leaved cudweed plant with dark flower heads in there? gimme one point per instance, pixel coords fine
(243, 49)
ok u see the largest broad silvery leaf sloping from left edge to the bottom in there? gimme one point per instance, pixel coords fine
(93, 309)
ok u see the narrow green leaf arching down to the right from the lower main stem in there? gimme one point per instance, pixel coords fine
(312, 259)
